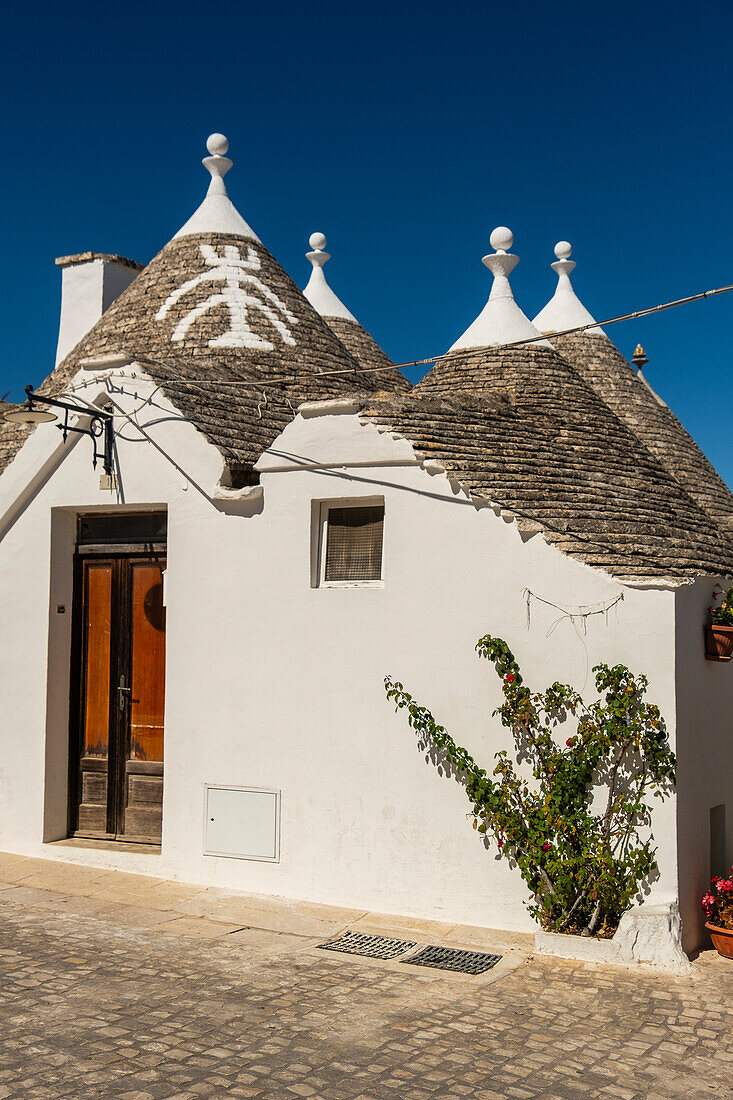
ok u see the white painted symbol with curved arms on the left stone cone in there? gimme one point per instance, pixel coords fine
(238, 295)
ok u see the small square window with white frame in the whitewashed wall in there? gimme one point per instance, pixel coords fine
(352, 544)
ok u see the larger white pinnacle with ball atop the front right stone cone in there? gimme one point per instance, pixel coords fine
(501, 321)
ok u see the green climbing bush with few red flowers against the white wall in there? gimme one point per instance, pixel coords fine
(567, 811)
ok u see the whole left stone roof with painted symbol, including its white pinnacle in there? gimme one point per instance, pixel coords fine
(212, 309)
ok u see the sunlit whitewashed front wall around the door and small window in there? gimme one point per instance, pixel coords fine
(275, 684)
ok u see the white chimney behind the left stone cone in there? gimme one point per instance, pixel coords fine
(91, 283)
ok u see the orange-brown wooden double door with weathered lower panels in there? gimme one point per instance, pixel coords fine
(118, 698)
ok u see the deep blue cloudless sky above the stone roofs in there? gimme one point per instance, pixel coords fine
(404, 133)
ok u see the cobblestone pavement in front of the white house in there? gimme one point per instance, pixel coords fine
(97, 1003)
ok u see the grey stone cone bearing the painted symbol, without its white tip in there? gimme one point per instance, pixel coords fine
(217, 299)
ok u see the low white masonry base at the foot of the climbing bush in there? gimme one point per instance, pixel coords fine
(649, 936)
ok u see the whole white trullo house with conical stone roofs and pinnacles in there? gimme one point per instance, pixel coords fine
(195, 631)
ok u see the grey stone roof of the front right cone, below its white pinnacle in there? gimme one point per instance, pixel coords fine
(521, 428)
